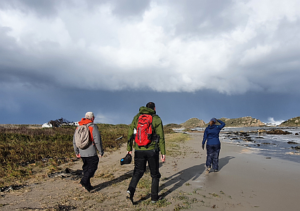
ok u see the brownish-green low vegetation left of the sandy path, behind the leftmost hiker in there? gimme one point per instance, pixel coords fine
(22, 148)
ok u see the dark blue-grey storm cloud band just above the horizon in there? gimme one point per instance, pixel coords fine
(37, 106)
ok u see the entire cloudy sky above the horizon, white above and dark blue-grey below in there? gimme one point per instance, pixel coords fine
(193, 58)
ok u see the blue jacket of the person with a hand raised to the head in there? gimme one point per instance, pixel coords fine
(211, 134)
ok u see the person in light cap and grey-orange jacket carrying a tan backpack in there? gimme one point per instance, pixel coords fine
(86, 142)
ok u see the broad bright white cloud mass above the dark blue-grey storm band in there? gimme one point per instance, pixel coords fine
(95, 48)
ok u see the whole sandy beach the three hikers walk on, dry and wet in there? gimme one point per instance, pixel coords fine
(246, 181)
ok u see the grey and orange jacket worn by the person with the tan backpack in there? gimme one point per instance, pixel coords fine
(95, 139)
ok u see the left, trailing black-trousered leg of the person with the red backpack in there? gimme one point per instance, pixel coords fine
(138, 172)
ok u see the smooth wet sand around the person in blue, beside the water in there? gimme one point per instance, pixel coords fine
(251, 181)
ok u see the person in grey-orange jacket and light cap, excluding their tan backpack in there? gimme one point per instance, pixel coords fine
(89, 155)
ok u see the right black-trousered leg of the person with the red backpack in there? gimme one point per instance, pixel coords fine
(153, 162)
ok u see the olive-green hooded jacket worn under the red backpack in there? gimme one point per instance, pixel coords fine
(157, 127)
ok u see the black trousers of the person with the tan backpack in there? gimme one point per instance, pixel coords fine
(90, 165)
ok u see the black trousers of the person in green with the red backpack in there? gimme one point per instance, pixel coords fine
(140, 160)
